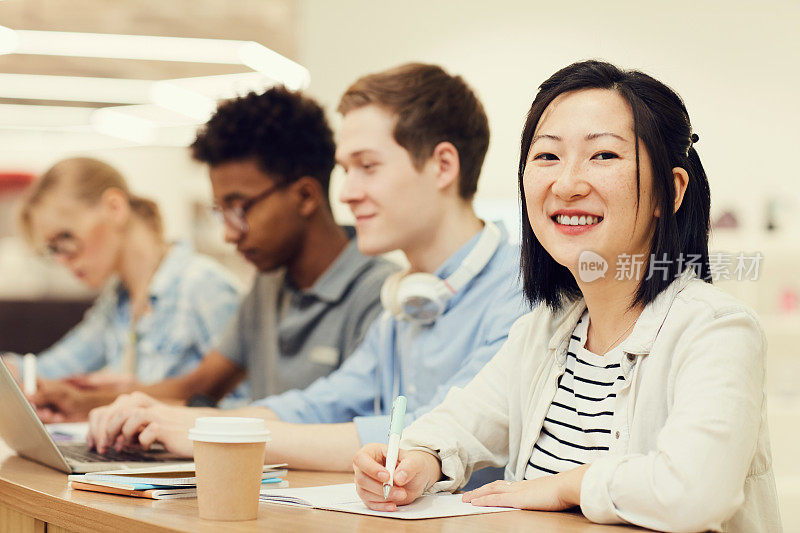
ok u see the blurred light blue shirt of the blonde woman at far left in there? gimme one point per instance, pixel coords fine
(192, 299)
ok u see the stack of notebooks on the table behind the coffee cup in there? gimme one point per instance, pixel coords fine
(160, 483)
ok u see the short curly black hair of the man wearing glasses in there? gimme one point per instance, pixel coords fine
(283, 131)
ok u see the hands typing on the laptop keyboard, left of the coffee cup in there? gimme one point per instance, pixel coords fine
(136, 419)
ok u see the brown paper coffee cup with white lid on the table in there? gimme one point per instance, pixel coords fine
(229, 457)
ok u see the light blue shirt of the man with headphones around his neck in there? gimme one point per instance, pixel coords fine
(425, 360)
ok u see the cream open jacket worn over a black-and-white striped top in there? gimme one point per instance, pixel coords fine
(690, 447)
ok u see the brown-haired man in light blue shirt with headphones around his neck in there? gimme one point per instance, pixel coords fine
(412, 143)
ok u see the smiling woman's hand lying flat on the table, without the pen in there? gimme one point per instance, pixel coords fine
(549, 493)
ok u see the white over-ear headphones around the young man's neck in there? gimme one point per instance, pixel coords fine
(422, 297)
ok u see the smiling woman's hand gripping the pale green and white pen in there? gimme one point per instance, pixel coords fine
(415, 472)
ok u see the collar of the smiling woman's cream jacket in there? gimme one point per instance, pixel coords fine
(647, 325)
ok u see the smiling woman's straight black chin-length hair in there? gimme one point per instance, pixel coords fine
(661, 122)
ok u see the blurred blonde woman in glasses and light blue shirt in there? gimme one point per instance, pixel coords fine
(161, 305)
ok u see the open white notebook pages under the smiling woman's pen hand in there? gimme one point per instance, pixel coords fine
(344, 498)
